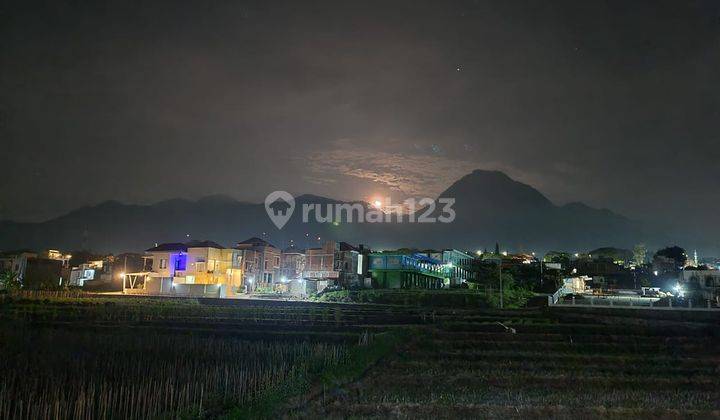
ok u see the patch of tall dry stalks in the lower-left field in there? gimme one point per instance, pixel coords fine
(132, 374)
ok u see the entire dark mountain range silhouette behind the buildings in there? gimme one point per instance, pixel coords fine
(490, 206)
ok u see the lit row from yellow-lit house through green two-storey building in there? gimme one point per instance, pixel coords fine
(206, 268)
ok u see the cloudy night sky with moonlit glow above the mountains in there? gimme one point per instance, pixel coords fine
(613, 103)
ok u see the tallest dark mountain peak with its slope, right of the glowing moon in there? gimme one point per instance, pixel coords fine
(493, 207)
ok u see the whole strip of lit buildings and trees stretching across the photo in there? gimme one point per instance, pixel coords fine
(255, 265)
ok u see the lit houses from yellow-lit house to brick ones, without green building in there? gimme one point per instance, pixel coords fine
(253, 265)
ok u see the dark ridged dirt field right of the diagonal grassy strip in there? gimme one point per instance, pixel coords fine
(542, 366)
